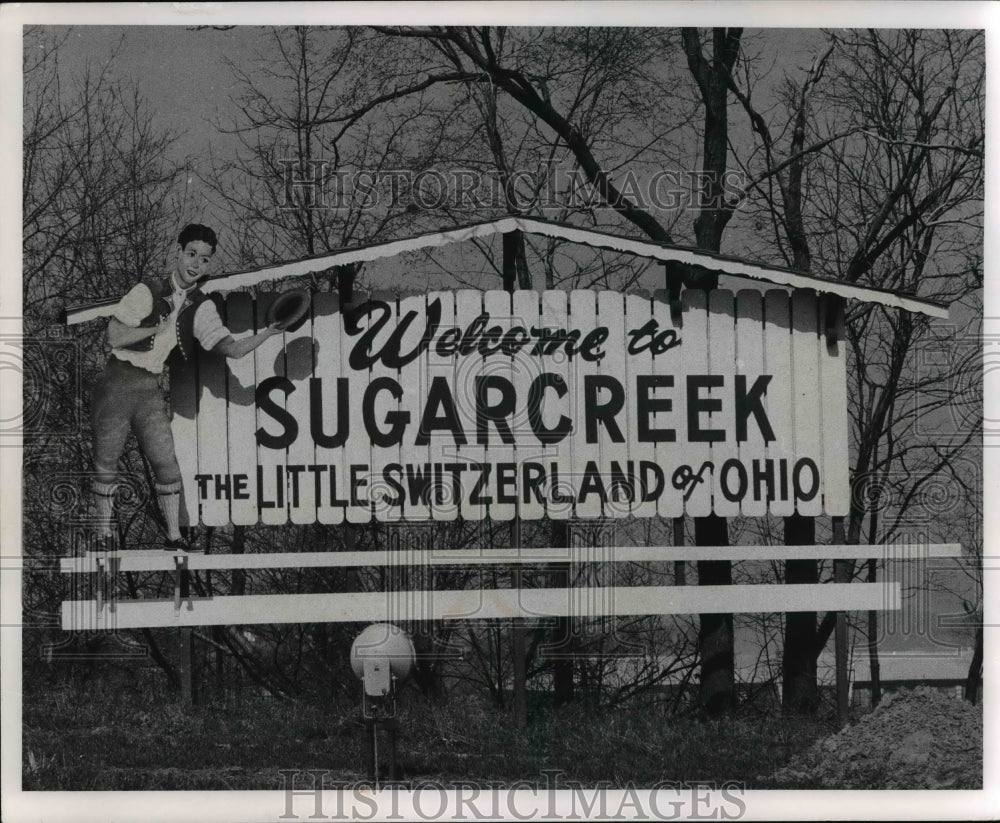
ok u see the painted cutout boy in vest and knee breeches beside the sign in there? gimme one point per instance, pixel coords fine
(148, 323)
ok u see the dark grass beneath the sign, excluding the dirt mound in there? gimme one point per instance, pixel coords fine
(114, 740)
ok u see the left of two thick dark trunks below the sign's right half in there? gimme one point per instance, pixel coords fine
(717, 693)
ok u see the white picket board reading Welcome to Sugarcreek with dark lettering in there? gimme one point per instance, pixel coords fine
(473, 404)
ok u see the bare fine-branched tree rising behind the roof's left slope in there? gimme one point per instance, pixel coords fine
(326, 154)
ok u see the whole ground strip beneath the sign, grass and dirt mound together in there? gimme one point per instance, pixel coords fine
(96, 738)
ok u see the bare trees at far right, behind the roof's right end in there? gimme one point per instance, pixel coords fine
(872, 172)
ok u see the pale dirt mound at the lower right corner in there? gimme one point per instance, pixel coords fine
(915, 739)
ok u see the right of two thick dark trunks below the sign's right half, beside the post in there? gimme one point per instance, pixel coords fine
(800, 692)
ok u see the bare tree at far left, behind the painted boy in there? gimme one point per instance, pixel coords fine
(97, 180)
